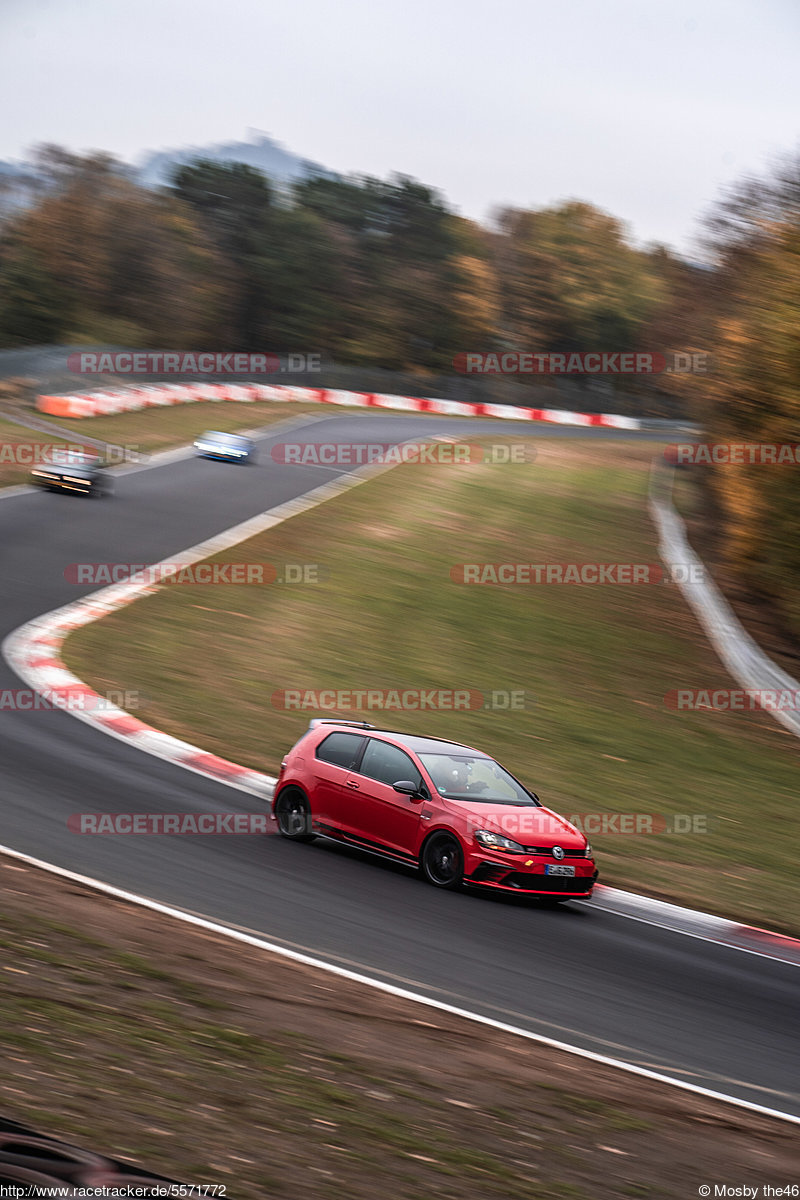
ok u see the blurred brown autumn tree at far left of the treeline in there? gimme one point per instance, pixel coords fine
(99, 259)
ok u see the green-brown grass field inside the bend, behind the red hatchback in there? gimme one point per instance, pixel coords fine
(596, 663)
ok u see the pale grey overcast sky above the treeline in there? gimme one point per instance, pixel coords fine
(642, 107)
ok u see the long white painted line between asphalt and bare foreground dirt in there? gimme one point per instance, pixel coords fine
(390, 989)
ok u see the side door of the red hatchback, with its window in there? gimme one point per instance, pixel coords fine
(375, 812)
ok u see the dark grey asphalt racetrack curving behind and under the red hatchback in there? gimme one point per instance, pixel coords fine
(702, 1013)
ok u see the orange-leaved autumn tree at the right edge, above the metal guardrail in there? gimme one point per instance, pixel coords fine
(753, 394)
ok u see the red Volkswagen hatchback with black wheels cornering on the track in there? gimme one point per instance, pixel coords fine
(449, 809)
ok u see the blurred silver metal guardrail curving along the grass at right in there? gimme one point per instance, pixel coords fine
(747, 662)
